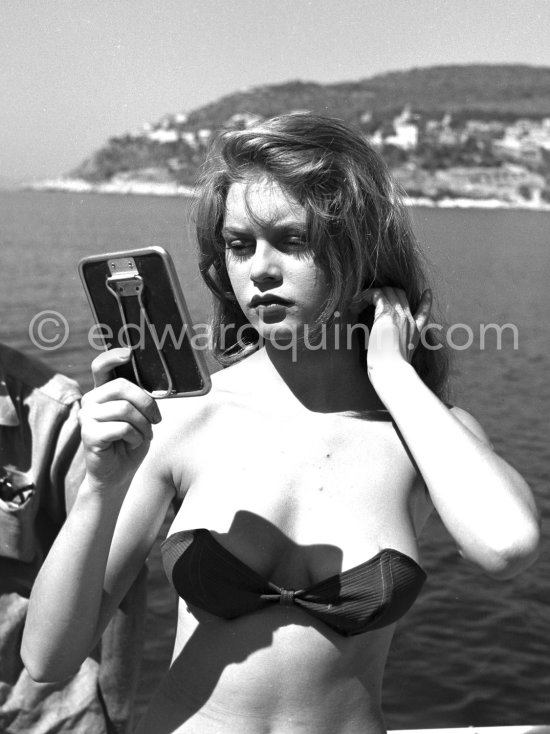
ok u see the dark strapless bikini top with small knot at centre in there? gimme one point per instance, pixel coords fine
(373, 594)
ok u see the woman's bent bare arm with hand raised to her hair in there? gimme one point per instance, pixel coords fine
(485, 504)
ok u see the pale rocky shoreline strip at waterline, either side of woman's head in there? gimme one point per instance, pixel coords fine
(123, 186)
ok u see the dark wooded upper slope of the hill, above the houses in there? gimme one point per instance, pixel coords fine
(473, 91)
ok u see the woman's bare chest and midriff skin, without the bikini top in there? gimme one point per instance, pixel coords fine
(298, 497)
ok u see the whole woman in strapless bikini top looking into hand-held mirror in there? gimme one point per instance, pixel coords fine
(308, 472)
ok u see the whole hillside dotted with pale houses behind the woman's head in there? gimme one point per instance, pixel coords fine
(474, 132)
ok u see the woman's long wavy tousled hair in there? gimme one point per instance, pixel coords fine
(358, 228)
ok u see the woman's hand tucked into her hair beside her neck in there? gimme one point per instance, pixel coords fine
(396, 332)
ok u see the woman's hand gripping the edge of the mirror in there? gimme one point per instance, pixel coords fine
(116, 420)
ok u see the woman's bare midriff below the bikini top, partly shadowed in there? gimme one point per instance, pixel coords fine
(277, 671)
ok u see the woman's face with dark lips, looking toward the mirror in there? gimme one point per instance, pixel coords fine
(274, 276)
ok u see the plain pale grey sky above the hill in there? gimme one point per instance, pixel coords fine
(74, 73)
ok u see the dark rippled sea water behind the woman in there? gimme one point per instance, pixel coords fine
(473, 651)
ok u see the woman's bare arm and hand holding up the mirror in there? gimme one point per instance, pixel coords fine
(106, 538)
